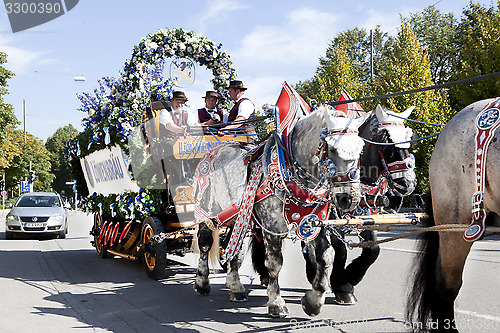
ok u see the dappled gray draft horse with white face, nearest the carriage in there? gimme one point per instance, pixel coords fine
(229, 182)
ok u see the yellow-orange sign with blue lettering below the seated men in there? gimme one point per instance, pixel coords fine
(198, 146)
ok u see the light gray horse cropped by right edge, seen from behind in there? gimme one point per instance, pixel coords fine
(453, 172)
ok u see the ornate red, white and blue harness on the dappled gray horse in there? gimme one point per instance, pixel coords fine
(304, 208)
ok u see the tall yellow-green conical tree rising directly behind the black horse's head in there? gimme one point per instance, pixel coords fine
(408, 67)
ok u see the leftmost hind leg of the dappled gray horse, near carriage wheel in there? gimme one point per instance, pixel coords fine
(205, 241)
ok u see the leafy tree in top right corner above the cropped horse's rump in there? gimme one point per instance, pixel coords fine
(479, 54)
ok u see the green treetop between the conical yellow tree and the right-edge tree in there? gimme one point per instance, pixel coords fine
(438, 34)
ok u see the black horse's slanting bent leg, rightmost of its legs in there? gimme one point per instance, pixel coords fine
(358, 267)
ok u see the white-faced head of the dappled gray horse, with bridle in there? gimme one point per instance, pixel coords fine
(344, 148)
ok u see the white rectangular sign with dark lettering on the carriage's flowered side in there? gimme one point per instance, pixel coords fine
(106, 172)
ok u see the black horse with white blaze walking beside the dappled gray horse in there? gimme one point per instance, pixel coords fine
(379, 159)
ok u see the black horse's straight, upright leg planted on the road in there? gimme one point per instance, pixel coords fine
(343, 290)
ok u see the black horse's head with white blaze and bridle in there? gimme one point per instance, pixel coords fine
(393, 160)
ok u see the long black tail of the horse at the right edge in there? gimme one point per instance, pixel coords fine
(422, 294)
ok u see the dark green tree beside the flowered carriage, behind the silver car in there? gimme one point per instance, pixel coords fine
(60, 167)
